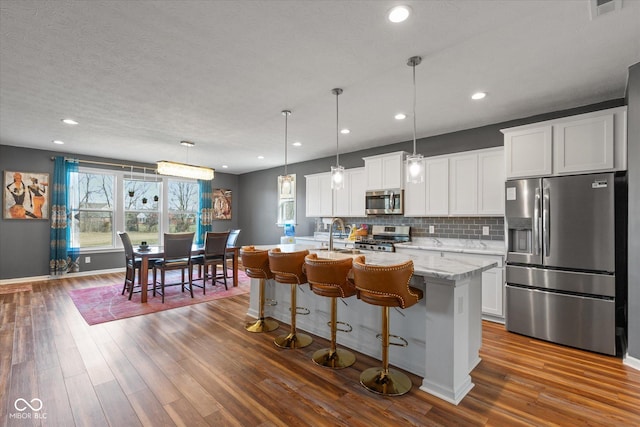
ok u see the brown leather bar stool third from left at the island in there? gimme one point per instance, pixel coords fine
(328, 278)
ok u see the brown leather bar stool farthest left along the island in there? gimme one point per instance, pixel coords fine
(256, 264)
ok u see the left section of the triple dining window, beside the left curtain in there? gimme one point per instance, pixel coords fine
(94, 209)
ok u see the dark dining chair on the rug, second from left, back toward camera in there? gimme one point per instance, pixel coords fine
(177, 256)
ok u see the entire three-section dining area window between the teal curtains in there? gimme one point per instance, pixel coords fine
(144, 205)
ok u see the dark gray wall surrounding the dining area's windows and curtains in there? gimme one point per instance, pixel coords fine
(24, 244)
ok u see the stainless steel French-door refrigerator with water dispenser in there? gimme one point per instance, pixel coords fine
(566, 260)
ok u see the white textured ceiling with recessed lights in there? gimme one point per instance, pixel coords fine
(142, 76)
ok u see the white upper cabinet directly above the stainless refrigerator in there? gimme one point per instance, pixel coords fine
(592, 142)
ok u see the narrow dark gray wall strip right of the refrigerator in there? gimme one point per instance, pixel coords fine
(633, 153)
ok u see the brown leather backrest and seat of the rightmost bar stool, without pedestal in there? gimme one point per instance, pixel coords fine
(384, 285)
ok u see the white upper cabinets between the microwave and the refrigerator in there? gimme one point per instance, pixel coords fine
(465, 184)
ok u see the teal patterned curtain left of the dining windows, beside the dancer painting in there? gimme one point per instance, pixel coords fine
(64, 257)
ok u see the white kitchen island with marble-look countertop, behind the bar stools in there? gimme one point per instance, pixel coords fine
(444, 330)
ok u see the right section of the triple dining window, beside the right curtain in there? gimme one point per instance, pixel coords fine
(183, 206)
